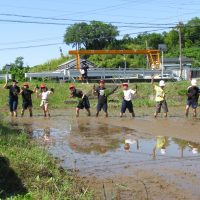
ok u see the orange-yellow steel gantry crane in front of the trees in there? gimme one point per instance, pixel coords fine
(153, 56)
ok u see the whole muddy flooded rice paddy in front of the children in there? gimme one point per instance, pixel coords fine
(141, 158)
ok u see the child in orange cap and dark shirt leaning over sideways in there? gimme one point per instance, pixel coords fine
(83, 101)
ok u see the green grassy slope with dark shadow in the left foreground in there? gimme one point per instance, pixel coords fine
(27, 171)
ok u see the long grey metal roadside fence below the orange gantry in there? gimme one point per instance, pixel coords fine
(103, 73)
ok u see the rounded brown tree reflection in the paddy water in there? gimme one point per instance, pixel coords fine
(96, 138)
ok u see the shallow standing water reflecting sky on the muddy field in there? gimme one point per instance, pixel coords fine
(104, 150)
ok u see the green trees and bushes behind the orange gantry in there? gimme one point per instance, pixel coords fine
(98, 35)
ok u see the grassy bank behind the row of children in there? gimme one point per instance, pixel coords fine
(175, 92)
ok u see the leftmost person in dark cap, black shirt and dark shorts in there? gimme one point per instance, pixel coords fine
(14, 91)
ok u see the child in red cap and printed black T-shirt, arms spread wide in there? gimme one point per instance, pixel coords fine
(102, 92)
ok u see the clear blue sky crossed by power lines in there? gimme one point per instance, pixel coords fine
(17, 35)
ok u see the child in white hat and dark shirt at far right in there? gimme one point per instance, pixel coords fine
(192, 98)
